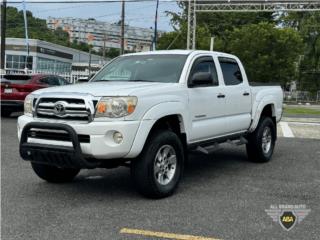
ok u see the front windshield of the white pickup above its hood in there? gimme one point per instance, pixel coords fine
(164, 68)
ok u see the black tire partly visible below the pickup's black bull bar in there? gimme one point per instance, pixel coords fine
(54, 174)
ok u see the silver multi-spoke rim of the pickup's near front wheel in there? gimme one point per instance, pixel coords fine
(165, 164)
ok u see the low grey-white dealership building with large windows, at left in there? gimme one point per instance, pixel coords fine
(45, 57)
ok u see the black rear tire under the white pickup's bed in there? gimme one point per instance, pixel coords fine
(256, 151)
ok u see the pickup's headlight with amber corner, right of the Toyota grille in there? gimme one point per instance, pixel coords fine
(115, 107)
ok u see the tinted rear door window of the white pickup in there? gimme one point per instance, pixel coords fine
(231, 71)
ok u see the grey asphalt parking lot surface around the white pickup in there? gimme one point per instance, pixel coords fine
(222, 196)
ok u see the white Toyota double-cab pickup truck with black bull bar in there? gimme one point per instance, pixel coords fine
(146, 111)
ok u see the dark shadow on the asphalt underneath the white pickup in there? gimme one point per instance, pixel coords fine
(109, 183)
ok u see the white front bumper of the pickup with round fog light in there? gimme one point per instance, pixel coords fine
(100, 146)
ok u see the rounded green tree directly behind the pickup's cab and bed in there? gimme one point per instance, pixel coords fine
(269, 54)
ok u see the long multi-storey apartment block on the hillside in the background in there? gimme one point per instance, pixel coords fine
(103, 35)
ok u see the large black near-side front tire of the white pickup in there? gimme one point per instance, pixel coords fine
(143, 170)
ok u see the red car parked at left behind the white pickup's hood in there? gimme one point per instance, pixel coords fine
(15, 88)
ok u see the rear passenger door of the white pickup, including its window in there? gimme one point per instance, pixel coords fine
(238, 95)
